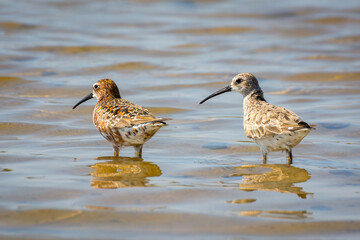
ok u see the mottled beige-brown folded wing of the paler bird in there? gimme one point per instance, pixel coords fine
(270, 120)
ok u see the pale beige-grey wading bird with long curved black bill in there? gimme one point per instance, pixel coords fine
(273, 128)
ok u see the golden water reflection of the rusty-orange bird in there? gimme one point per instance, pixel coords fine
(122, 172)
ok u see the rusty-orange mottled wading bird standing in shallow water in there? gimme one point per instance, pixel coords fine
(120, 121)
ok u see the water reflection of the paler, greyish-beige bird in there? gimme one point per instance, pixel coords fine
(272, 177)
